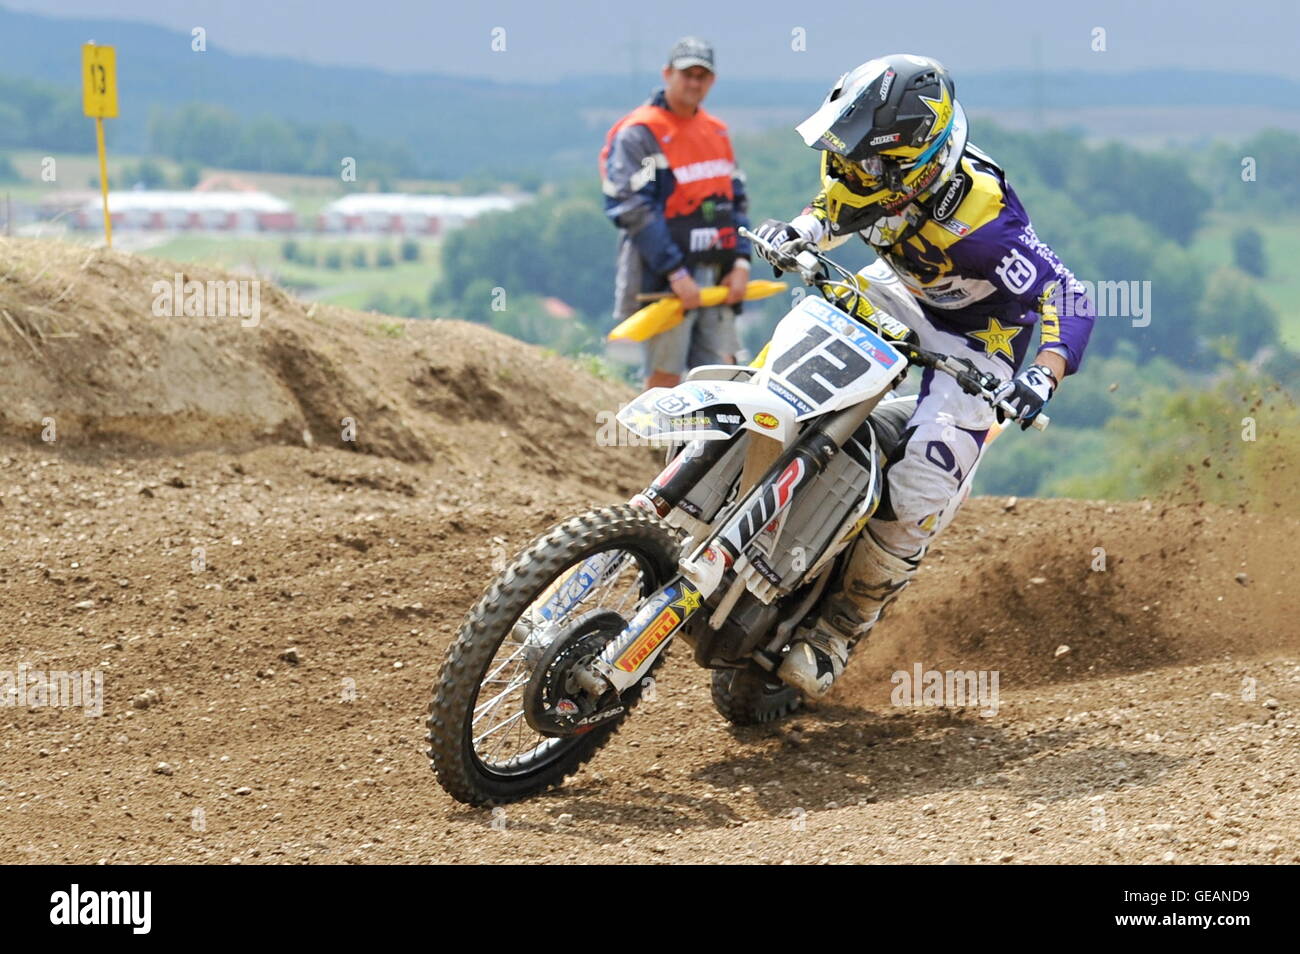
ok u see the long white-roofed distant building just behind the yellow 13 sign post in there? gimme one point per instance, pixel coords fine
(237, 211)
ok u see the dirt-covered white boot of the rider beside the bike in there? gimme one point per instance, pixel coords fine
(873, 579)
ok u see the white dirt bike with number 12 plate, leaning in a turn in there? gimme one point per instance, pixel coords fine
(773, 472)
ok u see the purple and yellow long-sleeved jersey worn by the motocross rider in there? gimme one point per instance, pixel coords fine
(977, 268)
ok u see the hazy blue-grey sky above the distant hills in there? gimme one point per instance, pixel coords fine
(547, 41)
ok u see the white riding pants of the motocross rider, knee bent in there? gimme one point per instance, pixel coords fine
(946, 435)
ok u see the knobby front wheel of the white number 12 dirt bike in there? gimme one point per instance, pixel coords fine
(482, 745)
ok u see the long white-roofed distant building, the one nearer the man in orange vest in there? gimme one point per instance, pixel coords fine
(409, 215)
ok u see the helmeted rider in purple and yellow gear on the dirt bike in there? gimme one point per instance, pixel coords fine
(898, 170)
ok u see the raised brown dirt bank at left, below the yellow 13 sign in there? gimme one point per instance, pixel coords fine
(101, 354)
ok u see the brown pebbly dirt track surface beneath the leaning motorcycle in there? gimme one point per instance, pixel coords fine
(1142, 743)
